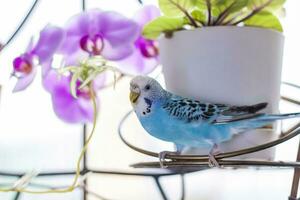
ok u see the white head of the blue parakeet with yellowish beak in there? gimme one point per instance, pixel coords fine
(142, 87)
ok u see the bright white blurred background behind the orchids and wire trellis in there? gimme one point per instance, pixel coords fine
(31, 137)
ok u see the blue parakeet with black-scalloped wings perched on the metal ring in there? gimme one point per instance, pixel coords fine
(192, 123)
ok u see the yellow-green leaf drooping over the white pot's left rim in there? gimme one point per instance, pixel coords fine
(162, 24)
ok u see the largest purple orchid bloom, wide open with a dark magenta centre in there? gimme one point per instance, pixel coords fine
(97, 32)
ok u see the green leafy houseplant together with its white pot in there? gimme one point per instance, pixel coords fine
(222, 51)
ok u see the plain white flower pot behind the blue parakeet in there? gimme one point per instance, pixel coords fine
(226, 64)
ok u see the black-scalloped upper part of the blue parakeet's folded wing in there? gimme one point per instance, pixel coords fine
(192, 110)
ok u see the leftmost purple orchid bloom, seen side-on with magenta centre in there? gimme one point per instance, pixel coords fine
(25, 66)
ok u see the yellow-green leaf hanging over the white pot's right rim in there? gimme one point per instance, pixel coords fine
(264, 19)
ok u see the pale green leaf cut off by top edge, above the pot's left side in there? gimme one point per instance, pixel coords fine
(176, 8)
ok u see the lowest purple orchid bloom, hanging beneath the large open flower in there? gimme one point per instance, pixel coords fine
(65, 106)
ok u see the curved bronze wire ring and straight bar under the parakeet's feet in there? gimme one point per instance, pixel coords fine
(202, 160)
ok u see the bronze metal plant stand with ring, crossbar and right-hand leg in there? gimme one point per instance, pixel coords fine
(201, 162)
